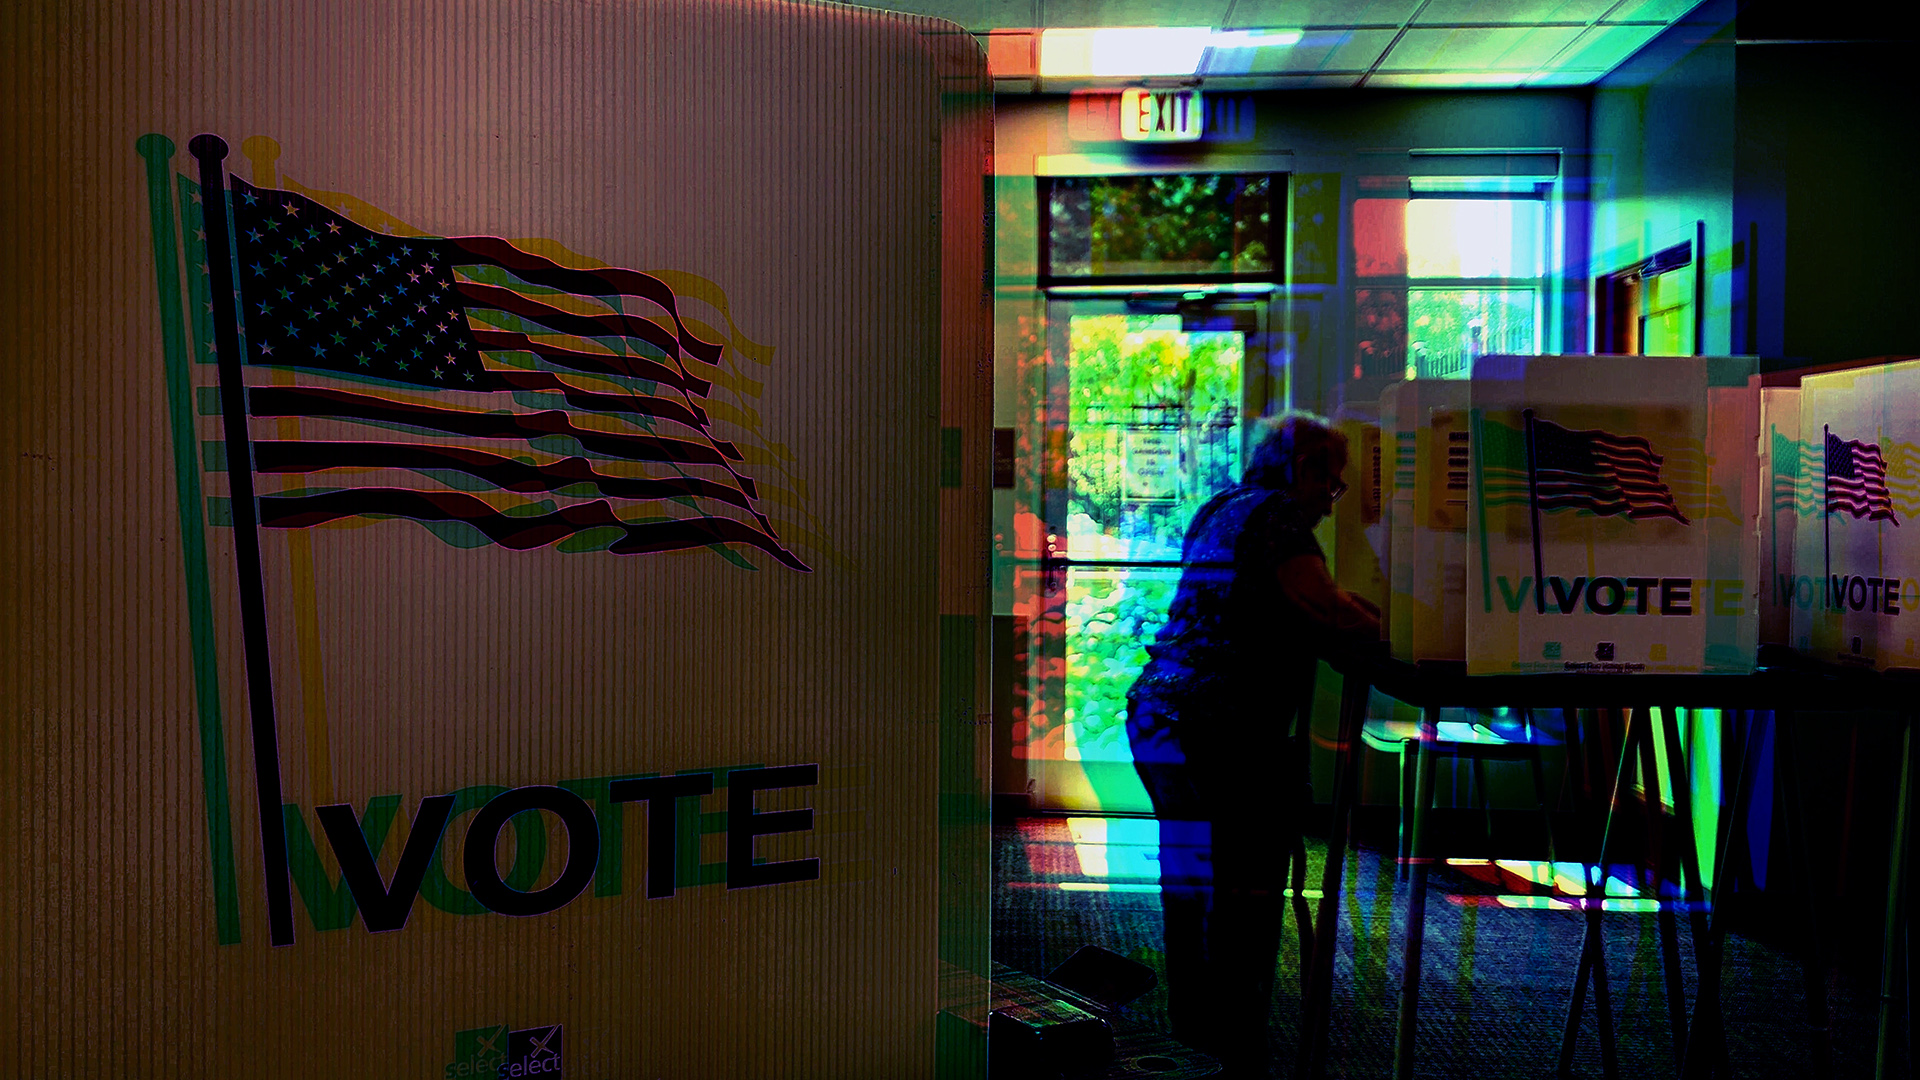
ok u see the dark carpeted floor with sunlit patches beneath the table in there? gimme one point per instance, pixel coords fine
(1497, 977)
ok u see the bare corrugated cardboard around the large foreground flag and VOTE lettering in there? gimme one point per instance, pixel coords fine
(792, 160)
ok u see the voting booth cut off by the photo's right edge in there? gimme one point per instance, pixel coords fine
(1856, 549)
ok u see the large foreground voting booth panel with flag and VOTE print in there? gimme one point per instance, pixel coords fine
(498, 541)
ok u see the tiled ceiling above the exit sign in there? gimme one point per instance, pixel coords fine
(1345, 43)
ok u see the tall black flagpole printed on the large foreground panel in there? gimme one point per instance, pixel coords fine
(212, 151)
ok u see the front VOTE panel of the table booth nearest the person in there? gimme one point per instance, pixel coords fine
(1612, 524)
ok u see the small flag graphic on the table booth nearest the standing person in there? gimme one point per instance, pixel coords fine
(1598, 472)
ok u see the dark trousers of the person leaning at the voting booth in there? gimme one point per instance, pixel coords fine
(1230, 816)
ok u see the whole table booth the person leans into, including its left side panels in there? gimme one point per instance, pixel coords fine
(1575, 514)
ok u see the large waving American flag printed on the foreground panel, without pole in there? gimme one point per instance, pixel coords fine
(466, 381)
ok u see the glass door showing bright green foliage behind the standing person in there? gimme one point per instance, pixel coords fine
(1149, 410)
